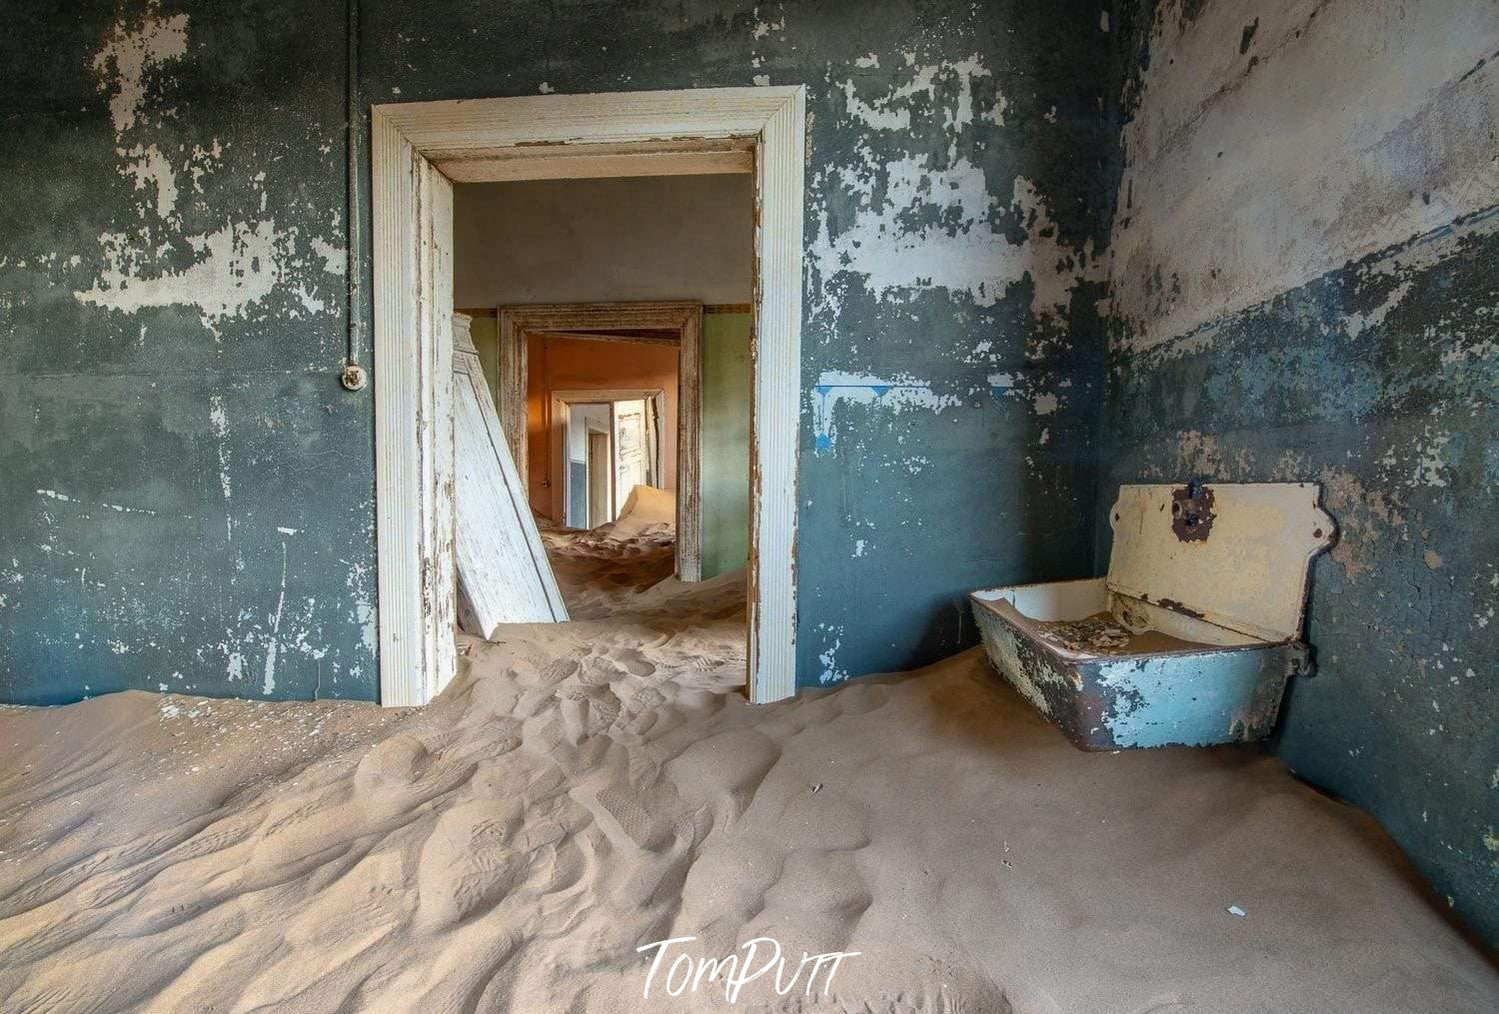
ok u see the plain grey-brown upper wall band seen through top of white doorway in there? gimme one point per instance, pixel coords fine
(671, 238)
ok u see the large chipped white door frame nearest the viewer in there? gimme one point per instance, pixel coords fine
(416, 151)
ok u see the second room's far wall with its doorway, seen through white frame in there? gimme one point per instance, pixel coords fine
(600, 389)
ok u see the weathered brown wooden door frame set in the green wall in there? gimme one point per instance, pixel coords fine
(578, 322)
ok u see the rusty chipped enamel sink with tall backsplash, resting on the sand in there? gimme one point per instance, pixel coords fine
(1192, 635)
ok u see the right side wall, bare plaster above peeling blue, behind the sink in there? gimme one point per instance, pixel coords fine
(1305, 277)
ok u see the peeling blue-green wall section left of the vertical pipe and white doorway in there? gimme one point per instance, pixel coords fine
(187, 497)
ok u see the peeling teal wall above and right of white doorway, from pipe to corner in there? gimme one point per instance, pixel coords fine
(951, 361)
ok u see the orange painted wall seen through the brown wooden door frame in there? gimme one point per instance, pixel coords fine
(563, 364)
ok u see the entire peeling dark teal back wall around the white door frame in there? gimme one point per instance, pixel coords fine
(173, 314)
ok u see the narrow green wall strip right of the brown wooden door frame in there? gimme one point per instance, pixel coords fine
(726, 442)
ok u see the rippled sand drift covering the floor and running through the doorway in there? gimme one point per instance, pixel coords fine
(581, 791)
